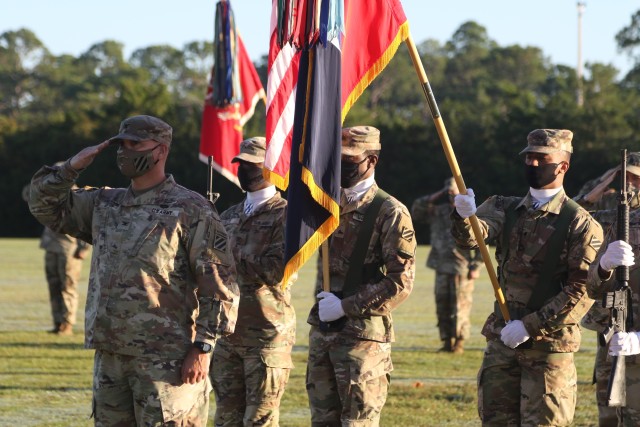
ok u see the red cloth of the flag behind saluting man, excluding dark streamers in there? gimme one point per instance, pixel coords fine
(222, 125)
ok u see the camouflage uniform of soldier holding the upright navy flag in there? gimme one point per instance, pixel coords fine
(348, 371)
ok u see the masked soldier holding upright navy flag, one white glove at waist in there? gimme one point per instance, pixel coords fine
(349, 364)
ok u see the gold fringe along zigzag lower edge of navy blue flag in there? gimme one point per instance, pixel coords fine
(321, 234)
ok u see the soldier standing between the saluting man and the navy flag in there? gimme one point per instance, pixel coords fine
(250, 368)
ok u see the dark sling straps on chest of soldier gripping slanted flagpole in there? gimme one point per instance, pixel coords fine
(545, 288)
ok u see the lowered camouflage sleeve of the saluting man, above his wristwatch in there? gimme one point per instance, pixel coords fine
(214, 271)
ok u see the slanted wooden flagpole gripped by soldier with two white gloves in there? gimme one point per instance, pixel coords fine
(455, 170)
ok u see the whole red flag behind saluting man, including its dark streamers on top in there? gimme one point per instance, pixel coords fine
(233, 92)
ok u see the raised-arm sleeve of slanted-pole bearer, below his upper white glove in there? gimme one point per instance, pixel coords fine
(490, 216)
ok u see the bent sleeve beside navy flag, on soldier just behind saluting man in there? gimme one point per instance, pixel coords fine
(268, 265)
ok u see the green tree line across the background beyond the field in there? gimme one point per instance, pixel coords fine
(490, 97)
